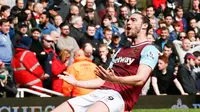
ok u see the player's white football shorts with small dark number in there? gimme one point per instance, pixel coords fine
(111, 98)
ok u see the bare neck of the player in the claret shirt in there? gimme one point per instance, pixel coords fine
(141, 37)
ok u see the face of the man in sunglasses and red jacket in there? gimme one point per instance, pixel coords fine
(47, 41)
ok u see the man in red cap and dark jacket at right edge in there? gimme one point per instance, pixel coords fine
(187, 76)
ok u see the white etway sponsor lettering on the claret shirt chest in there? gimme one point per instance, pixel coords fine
(126, 60)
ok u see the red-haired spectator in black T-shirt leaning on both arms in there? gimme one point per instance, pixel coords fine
(163, 79)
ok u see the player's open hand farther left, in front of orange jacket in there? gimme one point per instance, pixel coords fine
(68, 78)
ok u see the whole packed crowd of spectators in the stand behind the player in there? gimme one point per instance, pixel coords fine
(41, 39)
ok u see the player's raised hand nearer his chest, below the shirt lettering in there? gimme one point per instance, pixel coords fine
(107, 75)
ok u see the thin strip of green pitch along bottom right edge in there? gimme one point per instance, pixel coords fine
(166, 110)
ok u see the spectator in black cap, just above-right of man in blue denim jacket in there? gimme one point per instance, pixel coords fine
(53, 11)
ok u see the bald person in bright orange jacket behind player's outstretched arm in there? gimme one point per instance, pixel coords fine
(82, 69)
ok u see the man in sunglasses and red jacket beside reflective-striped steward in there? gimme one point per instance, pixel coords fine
(53, 65)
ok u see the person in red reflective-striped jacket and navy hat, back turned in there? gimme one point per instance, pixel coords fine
(27, 70)
